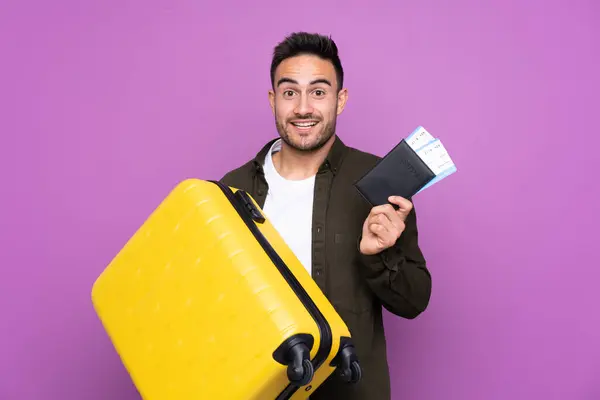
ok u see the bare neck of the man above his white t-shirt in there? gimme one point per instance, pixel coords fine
(295, 164)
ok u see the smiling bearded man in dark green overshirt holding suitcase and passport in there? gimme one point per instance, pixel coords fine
(362, 258)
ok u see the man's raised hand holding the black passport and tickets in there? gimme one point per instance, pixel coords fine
(384, 225)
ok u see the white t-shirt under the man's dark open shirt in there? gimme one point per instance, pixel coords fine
(289, 206)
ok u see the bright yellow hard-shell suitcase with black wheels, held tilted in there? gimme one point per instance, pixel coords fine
(206, 301)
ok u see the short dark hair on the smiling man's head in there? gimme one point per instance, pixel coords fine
(299, 43)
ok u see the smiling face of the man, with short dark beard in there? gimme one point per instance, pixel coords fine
(306, 102)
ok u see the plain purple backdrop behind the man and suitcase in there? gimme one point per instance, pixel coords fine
(106, 105)
